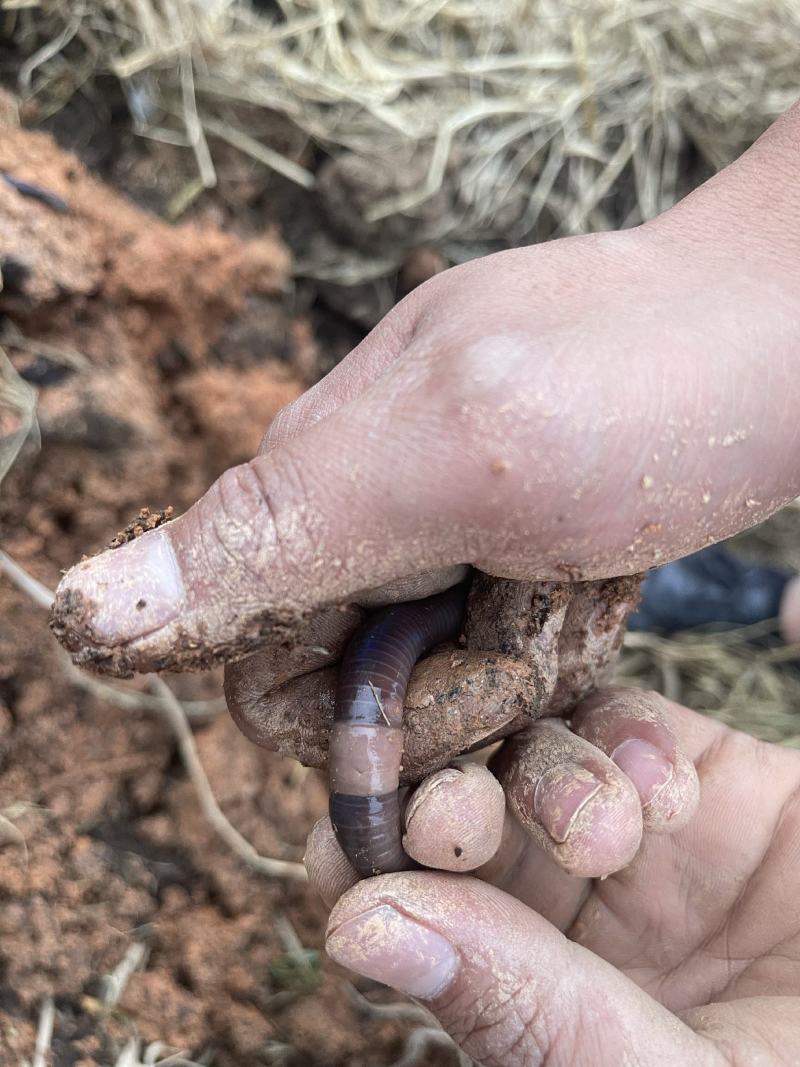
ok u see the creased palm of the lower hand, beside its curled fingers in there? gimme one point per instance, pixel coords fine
(711, 914)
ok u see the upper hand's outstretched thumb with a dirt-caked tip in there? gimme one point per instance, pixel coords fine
(314, 522)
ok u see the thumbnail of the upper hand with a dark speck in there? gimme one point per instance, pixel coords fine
(129, 592)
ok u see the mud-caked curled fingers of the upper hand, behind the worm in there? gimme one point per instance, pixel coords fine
(532, 649)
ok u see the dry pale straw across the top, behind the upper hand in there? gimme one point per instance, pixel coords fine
(507, 122)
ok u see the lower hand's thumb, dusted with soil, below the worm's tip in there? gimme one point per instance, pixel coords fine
(509, 989)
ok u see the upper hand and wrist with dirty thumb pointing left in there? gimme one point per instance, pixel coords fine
(575, 410)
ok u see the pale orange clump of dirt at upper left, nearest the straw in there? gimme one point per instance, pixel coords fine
(107, 258)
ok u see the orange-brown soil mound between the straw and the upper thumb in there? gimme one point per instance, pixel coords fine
(121, 321)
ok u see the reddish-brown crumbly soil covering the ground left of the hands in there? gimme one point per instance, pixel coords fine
(138, 337)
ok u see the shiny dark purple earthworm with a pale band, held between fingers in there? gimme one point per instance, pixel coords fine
(367, 740)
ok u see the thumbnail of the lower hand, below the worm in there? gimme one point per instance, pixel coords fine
(390, 948)
